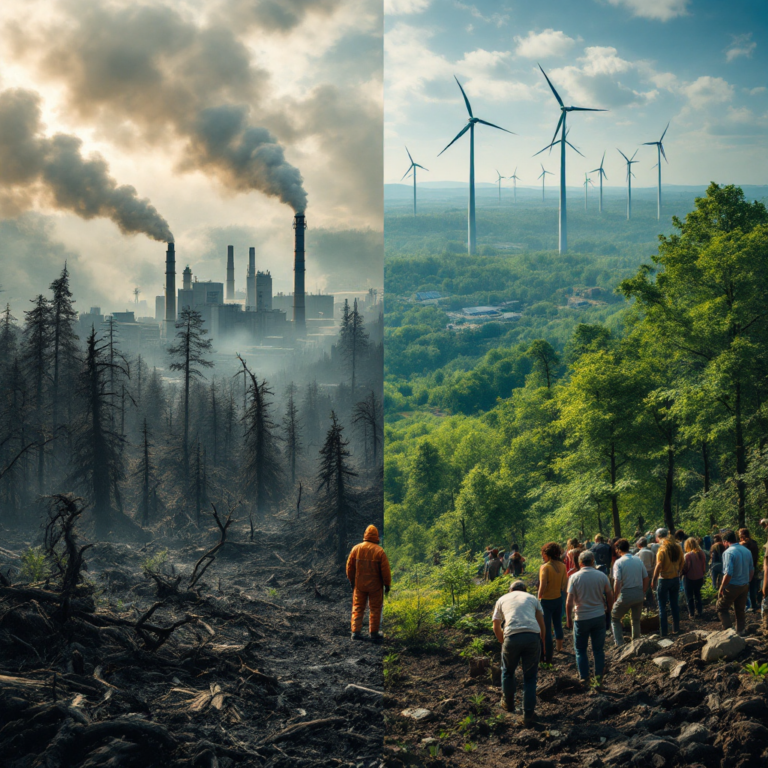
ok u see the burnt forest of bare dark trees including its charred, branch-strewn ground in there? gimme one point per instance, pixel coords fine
(173, 534)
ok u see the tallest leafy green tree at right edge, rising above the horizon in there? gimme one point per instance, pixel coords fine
(706, 298)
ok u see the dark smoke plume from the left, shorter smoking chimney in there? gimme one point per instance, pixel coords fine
(32, 165)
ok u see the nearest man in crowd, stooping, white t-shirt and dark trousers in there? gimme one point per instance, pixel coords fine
(521, 641)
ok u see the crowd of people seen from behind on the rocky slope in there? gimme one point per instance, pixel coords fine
(594, 587)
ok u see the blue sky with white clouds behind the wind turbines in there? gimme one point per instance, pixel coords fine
(700, 64)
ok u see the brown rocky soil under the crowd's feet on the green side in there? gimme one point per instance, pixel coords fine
(661, 706)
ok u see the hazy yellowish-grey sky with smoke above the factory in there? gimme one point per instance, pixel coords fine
(213, 111)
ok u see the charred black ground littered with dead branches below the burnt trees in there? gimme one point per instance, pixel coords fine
(258, 671)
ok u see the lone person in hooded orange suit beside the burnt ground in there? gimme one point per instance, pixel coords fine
(368, 573)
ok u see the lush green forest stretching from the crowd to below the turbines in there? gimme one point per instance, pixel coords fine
(647, 406)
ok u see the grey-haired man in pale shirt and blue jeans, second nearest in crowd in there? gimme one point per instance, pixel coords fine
(590, 598)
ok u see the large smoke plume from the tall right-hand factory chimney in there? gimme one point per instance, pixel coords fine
(148, 68)
